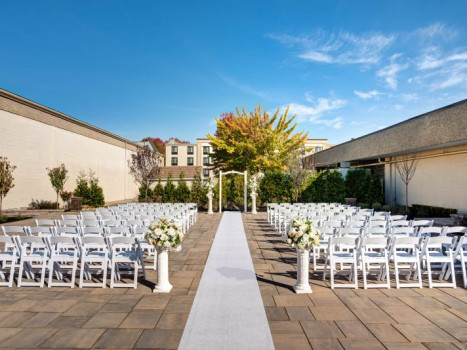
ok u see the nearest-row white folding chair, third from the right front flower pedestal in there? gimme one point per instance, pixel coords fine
(406, 250)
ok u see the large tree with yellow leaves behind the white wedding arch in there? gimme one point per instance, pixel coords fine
(255, 141)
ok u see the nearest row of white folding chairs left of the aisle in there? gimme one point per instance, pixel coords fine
(60, 254)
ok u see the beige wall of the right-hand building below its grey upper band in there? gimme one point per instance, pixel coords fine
(440, 179)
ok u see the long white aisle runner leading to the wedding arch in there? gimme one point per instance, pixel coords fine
(228, 311)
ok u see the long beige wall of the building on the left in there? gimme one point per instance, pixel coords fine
(32, 146)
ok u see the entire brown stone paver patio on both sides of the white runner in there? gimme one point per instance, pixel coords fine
(64, 318)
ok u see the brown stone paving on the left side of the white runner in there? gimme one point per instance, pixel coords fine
(96, 318)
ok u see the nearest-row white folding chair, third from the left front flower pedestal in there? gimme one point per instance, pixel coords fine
(63, 258)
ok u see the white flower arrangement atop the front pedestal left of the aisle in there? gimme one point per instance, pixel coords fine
(164, 233)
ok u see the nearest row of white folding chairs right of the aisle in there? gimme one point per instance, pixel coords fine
(411, 253)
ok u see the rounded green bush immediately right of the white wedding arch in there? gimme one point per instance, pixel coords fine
(276, 187)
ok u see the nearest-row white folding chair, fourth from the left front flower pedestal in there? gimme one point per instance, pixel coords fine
(34, 257)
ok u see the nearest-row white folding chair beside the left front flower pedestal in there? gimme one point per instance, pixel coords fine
(126, 251)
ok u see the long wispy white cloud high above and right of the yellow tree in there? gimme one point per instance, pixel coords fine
(341, 48)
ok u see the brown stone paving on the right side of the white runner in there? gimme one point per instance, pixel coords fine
(408, 318)
